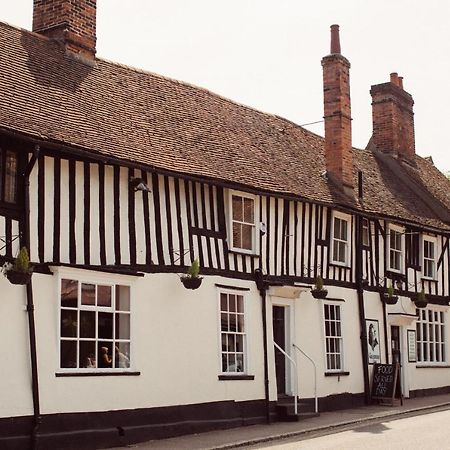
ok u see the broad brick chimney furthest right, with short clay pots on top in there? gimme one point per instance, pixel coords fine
(393, 118)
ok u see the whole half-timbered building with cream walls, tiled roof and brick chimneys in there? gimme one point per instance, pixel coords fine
(116, 180)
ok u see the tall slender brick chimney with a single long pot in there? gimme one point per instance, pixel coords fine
(337, 114)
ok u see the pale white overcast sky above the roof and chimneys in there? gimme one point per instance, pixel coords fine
(266, 53)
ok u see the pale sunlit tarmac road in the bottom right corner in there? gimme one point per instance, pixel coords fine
(422, 432)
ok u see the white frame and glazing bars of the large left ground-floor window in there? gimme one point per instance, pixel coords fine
(97, 278)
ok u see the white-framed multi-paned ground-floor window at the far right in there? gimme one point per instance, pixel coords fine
(436, 328)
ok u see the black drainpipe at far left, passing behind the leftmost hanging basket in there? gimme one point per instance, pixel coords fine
(30, 303)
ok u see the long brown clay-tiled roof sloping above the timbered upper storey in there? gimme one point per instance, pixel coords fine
(117, 111)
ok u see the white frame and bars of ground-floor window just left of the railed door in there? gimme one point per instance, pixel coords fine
(242, 294)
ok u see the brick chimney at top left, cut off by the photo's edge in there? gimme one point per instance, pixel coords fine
(72, 22)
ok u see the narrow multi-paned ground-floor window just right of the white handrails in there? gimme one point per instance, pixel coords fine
(333, 337)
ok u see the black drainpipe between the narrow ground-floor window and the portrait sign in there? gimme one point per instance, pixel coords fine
(360, 293)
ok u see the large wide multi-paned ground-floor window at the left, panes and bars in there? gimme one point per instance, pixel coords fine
(94, 325)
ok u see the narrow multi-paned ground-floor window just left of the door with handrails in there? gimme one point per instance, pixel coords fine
(232, 333)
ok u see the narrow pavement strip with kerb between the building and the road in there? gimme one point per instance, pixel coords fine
(325, 423)
